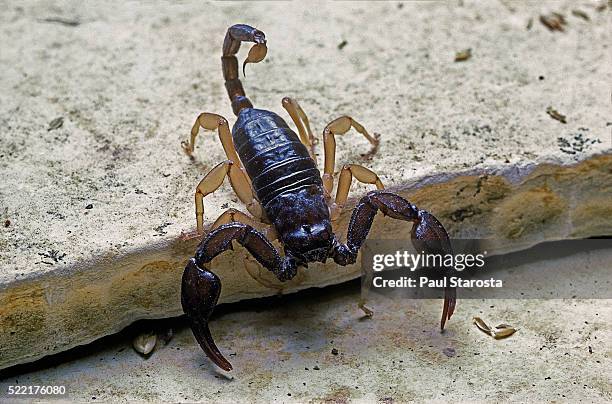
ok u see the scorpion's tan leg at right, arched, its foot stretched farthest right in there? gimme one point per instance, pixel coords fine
(340, 126)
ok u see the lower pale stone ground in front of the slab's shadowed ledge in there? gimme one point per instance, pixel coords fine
(315, 347)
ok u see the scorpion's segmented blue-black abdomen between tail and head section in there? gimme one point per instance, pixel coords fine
(275, 159)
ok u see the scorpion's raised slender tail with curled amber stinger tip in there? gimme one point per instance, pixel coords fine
(236, 34)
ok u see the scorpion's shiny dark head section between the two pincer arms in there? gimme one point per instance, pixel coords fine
(305, 231)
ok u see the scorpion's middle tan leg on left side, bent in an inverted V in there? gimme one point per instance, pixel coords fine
(213, 180)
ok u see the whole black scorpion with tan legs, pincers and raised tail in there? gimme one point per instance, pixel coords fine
(274, 173)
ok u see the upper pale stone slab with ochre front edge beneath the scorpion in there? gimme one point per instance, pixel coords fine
(93, 205)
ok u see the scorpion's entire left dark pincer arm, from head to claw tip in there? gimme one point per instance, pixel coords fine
(200, 288)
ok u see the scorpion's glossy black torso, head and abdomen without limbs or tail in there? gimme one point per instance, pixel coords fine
(287, 183)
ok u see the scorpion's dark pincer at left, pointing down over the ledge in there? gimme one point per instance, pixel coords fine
(199, 294)
